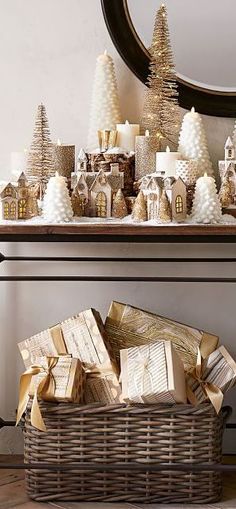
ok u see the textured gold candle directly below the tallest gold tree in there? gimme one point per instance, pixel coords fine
(145, 155)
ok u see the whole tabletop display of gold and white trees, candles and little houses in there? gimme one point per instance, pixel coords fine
(123, 176)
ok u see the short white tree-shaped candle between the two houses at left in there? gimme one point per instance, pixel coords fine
(57, 203)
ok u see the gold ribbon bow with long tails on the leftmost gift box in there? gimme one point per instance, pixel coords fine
(45, 389)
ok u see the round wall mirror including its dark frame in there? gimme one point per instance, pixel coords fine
(202, 37)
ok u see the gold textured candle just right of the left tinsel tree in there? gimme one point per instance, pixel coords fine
(64, 156)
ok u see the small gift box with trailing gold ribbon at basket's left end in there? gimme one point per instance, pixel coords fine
(53, 379)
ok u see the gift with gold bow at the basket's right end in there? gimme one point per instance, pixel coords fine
(211, 378)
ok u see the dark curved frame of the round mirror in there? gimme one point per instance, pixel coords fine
(136, 56)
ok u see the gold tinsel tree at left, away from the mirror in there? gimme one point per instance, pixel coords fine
(40, 163)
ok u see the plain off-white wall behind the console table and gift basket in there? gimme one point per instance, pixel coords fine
(47, 53)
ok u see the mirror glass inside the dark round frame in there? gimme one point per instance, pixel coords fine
(202, 37)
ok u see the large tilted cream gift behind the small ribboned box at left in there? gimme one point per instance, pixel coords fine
(83, 336)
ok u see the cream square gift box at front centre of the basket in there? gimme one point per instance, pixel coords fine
(152, 373)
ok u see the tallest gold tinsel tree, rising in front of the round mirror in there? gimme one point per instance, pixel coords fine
(161, 111)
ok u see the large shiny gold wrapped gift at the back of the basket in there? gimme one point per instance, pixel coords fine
(127, 327)
